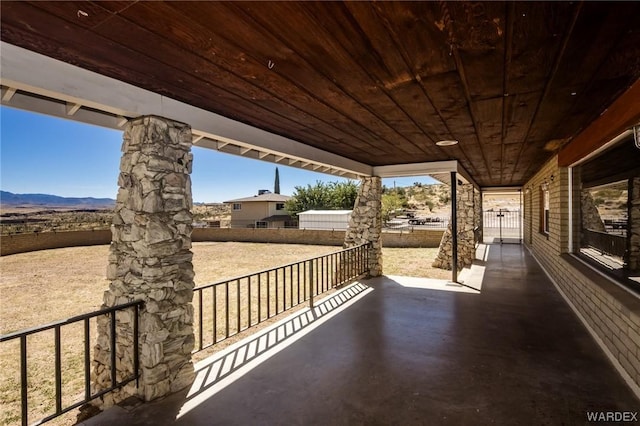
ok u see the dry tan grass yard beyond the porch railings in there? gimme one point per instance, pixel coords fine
(41, 287)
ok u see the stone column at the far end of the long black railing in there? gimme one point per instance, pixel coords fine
(365, 225)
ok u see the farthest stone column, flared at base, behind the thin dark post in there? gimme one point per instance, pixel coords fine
(466, 239)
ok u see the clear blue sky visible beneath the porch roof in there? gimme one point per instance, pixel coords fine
(49, 155)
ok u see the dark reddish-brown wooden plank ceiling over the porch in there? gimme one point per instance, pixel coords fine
(377, 82)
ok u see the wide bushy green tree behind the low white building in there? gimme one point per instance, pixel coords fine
(321, 196)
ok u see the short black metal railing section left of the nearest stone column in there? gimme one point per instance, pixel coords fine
(57, 327)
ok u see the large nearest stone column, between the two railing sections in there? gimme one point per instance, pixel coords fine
(150, 260)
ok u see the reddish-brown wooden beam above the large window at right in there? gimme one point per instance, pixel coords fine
(622, 114)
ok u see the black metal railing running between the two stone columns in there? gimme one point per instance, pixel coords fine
(225, 308)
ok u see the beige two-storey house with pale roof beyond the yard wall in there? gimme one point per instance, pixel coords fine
(265, 210)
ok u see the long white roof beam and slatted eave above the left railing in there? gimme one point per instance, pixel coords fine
(41, 84)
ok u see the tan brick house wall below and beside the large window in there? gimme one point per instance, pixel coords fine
(611, 313)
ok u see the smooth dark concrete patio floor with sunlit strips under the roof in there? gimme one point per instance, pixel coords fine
(398, 350)
